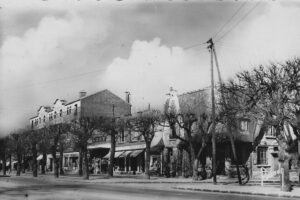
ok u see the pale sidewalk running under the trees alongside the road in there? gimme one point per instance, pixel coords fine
(224, 185)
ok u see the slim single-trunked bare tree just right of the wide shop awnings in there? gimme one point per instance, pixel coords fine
(147, 124)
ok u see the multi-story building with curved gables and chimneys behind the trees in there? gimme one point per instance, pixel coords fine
(103, 103)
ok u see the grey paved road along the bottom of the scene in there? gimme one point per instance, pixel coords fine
(30, 189)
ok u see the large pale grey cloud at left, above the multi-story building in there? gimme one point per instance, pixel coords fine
(56, 48)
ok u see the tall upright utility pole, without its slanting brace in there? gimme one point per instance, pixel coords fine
(213, 140)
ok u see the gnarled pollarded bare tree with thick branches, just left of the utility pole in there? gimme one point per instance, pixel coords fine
(196, 124)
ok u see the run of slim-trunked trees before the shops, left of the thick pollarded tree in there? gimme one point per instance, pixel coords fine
(26, 144)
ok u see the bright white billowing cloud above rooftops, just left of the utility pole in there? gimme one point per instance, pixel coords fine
(151, 69)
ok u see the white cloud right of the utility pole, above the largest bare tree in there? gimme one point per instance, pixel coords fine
(271, 36)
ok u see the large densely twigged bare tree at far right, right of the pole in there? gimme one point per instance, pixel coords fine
(270, 94)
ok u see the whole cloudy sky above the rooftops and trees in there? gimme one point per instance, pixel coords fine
(54, 49)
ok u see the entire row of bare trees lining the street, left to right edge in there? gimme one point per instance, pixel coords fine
(267, 94)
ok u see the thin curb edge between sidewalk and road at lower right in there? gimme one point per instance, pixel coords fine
(238, 192)
